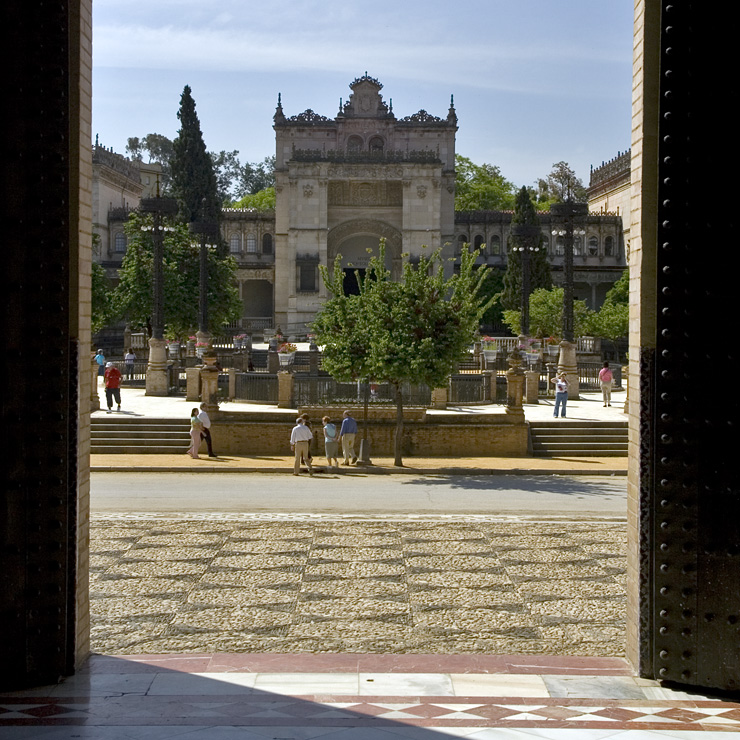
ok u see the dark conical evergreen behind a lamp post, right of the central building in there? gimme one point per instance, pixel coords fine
(539, 267)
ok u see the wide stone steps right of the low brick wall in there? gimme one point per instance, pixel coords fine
(558, 438)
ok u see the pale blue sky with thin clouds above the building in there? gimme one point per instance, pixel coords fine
(535, 81)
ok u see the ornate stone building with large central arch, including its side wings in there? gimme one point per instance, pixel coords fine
(343, 183)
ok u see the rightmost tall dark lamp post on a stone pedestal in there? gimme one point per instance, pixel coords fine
(565, 216)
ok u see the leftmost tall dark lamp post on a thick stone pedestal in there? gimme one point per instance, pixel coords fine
(156, 371)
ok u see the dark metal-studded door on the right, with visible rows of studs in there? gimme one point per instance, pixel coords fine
(691, 384)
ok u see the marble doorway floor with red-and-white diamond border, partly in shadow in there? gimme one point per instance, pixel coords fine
(223, 696)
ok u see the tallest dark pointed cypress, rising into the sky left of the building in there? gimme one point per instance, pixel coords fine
(193, 178)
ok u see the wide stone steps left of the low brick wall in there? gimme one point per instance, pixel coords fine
(113, 435)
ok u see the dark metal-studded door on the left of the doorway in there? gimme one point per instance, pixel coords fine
(38, 202)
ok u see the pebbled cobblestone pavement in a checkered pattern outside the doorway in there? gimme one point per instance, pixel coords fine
(331, 585)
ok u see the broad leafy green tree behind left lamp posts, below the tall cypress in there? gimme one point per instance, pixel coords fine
(132, 297)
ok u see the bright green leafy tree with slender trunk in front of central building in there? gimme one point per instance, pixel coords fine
(414, 330)
